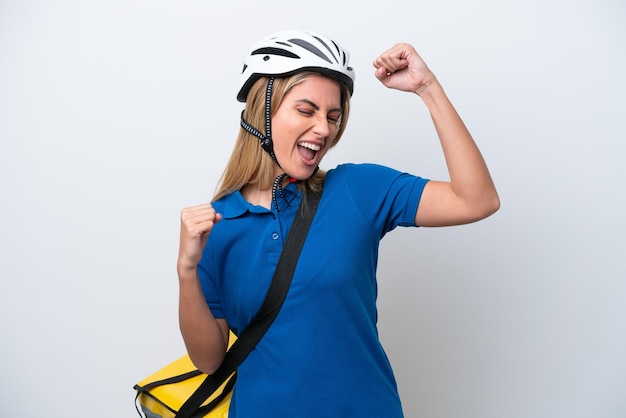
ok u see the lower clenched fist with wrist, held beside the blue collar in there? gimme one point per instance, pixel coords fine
(196, 223)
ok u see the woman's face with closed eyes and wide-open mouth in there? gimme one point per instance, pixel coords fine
(305, 124)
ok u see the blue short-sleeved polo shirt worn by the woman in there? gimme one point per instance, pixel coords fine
(322, 356)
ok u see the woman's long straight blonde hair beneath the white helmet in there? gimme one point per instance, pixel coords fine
(249, 163)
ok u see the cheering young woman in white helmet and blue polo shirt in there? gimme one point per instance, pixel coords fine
(322, 356)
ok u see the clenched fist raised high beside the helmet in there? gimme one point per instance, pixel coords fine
(403, 69)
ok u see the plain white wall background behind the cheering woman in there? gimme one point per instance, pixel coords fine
(115, 115)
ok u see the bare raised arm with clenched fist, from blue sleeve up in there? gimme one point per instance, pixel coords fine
(470, 194)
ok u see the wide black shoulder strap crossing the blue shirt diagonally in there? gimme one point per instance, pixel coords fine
(274, 299)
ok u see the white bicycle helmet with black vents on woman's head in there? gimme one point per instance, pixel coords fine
(291, 51)
